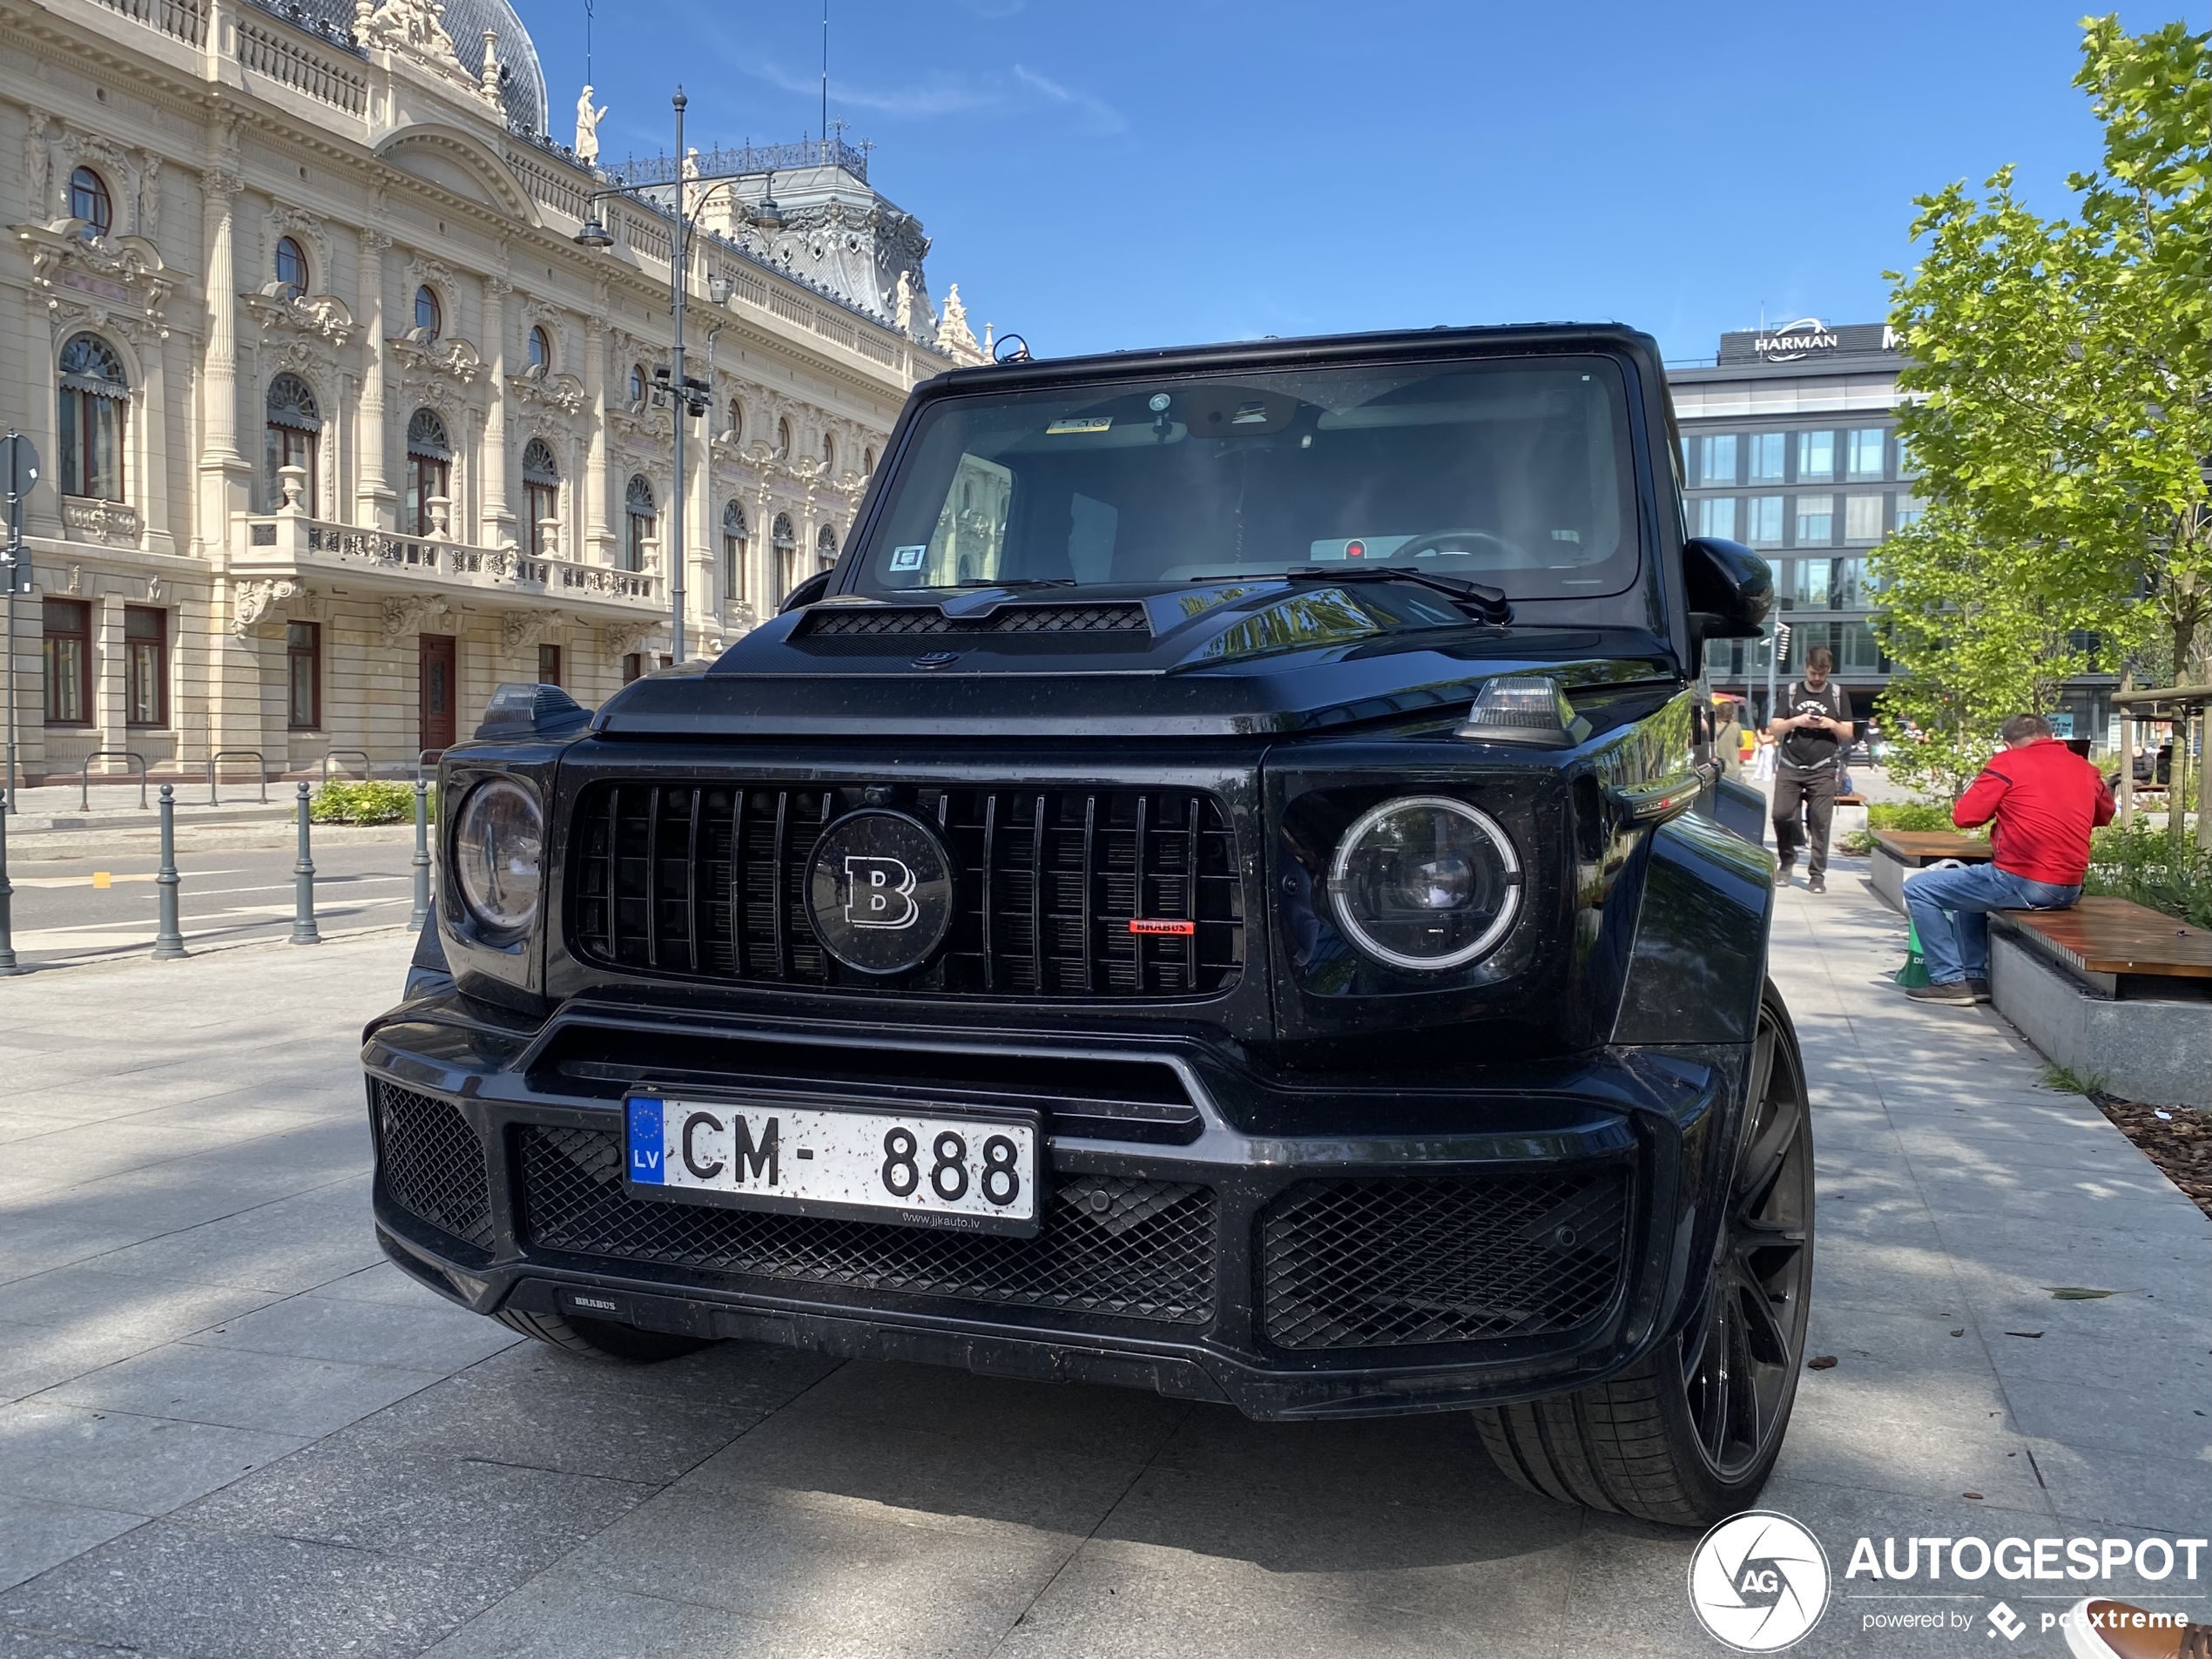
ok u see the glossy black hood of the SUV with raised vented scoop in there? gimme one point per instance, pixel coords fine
(1229, 660)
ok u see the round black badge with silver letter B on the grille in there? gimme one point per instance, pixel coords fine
(881, 893)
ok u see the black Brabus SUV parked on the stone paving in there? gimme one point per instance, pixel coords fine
(1224, 890)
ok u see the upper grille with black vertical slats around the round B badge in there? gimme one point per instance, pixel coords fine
(713, 881)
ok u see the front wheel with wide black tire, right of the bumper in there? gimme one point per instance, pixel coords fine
(1689, 1434)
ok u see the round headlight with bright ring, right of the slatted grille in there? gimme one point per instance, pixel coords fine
(1426, 884)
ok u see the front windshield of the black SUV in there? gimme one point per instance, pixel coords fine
(1514, 474)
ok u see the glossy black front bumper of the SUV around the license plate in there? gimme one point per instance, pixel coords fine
(1401, 1246)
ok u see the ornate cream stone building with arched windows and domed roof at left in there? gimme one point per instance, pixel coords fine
(342, 428)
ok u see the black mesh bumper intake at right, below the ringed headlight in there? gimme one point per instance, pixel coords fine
(1404, 1264)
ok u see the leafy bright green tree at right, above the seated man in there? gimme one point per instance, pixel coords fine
(2060, 417)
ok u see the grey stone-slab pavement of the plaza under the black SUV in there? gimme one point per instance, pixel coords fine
(229, 1428)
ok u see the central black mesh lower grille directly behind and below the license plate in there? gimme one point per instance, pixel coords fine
(1109, 1246)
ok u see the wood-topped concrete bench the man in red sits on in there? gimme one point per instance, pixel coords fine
(2109, 990)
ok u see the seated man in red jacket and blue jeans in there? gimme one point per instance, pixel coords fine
(2045, 800)
